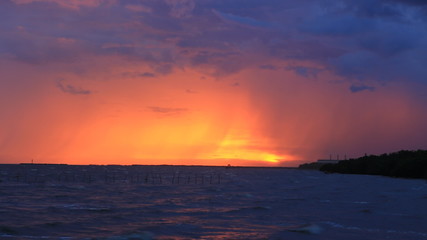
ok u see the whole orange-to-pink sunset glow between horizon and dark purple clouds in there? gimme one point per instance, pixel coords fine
(190, 118)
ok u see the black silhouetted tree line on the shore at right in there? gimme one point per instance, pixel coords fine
(404, 164)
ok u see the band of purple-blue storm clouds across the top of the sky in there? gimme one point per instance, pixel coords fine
(382, 40)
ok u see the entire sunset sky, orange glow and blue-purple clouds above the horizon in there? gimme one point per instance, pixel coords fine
(211, 82)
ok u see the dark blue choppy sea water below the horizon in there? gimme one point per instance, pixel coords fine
(177, 202)
